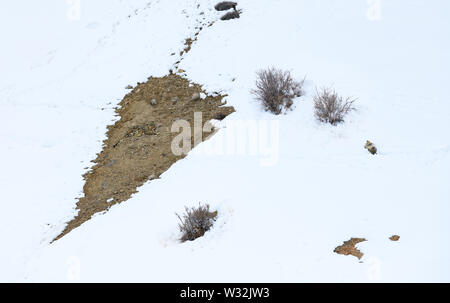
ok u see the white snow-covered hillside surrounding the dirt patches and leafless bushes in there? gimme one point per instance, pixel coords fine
(283, 206)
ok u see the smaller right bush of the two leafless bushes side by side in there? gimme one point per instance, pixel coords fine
(331, 108)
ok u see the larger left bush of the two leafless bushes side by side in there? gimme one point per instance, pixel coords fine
(276, 89)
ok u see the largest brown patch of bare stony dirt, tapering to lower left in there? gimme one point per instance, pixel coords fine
(138, 146)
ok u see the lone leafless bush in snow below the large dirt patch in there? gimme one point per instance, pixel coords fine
(195, 222)
